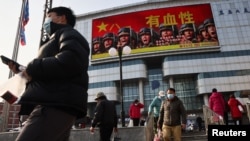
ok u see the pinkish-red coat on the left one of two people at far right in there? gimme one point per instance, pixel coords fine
(217, 103)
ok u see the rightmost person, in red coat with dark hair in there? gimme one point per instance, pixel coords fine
(234, 110)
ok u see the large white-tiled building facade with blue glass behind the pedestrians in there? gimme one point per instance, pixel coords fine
(192, 71)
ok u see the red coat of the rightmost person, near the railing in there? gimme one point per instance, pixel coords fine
(234, 110)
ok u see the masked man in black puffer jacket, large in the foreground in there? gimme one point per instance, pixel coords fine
(56, 92)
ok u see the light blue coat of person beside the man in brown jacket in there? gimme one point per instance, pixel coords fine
(155, 106)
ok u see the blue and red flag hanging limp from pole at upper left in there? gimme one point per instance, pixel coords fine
(25, 19)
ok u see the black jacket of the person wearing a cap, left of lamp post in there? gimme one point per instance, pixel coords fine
(105, 114)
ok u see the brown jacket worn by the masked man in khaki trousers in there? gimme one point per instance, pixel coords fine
(172, 113)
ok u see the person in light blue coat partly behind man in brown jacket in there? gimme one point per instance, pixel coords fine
(154, 108)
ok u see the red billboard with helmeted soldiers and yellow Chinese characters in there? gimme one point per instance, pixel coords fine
(155, 30)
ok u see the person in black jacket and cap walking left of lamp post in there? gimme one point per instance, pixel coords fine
(105, 117)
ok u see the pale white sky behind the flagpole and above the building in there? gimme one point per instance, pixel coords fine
(10, 13)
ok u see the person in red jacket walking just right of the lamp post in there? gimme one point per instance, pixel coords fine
(135, 112)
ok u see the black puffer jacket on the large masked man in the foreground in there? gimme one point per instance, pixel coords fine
(59, 74)
